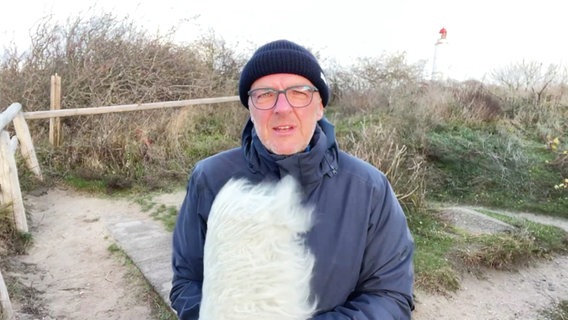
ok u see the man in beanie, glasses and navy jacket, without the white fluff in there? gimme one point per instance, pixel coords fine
(360, 240)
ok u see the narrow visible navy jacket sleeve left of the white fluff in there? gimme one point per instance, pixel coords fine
(187, 252)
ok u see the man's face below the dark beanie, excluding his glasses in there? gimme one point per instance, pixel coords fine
(284, 129)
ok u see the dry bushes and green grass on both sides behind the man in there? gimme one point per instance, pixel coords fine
(500, 144)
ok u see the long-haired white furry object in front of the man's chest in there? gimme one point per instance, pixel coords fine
(256, 264)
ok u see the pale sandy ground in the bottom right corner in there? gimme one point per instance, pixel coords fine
(501, 296)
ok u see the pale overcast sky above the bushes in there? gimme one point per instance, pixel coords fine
(483, 35)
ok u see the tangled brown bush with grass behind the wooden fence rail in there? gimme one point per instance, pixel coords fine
(104, 61)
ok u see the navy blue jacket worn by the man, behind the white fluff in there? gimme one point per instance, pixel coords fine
(360, 238)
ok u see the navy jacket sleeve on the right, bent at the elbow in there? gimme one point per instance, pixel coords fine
(385, 286)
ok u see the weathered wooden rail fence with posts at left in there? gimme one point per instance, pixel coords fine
(10, 192)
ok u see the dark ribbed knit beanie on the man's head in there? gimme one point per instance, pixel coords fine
(282, 56)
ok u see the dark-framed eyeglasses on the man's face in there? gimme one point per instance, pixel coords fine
(297, 96)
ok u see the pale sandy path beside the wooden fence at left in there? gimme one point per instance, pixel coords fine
(70, 261)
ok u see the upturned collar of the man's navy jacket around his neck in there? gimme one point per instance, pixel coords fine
(307, 167)
